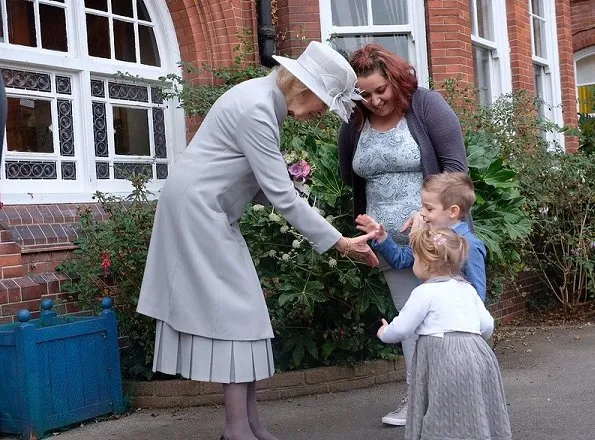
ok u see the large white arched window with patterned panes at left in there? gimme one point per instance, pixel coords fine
(75, 123)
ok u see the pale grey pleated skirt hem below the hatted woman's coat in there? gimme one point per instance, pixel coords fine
(211, 360)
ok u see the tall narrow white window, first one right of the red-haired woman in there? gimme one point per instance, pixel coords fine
(489, 37)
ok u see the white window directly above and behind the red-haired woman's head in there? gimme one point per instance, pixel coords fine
(399, 25)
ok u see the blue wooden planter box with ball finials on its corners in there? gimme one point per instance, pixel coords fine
(56, 371)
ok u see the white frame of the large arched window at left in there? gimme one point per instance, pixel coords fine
(80, 67)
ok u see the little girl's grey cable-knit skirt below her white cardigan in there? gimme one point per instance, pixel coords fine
(456, 391)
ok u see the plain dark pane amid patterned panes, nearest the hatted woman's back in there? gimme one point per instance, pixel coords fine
(131, 131)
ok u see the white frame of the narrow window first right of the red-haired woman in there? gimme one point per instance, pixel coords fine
(499, 64)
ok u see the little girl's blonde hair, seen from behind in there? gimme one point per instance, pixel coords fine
(442, 249)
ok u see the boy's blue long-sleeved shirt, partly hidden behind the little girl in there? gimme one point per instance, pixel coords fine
(401, 257)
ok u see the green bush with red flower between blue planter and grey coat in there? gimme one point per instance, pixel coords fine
(110, 261)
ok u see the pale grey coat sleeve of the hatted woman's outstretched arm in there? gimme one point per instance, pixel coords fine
(258, 138)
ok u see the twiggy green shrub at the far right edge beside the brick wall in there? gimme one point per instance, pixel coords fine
(560, 190)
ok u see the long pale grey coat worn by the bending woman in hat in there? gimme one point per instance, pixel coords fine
(199, 276)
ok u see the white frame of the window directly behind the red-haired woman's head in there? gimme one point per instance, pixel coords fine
(416, 29)
